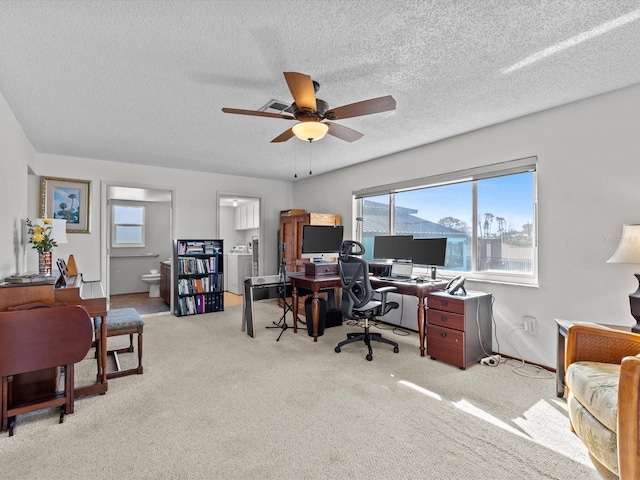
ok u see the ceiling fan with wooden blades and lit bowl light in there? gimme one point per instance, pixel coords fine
(313, 114)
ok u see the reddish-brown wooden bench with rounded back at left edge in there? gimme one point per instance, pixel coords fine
(40, 340)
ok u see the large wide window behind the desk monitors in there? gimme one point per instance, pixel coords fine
(487, 214)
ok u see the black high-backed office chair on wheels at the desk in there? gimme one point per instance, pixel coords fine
(358, 300)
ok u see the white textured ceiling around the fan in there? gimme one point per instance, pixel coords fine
(144, 81)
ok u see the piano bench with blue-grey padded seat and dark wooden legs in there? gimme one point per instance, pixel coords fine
(122, 321)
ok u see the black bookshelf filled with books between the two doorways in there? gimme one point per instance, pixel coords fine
(199, 277)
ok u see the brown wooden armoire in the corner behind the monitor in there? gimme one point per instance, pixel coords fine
(291, 222)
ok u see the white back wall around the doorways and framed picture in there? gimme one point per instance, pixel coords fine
(195, 203)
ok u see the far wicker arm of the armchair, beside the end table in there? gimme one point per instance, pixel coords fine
(596, 343)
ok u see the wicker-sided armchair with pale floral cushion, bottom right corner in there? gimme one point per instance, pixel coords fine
(603, 395)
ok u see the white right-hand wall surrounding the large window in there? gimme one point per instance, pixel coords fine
(588, 187)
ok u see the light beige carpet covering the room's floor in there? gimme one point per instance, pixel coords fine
(214, 403)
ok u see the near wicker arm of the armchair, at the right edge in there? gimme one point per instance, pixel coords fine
(628, 418)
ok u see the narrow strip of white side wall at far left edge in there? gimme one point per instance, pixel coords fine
(16, 152)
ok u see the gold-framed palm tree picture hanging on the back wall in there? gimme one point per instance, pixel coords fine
(68, 199)
